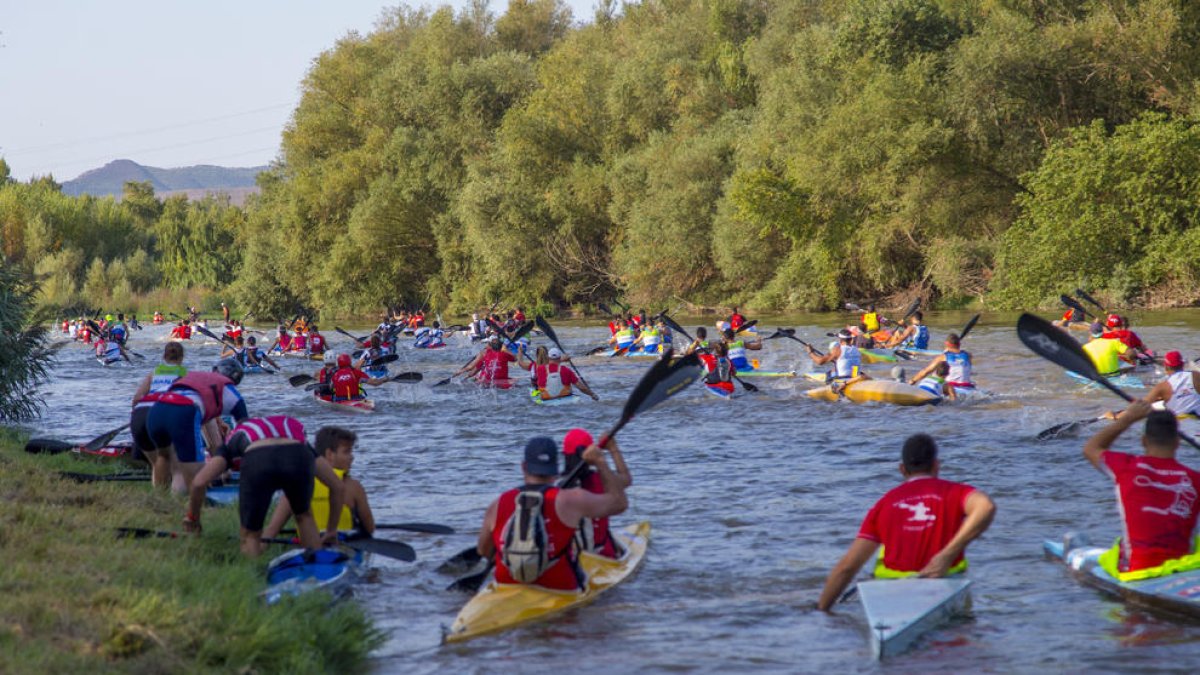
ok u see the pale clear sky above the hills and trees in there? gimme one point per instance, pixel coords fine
(166, 83)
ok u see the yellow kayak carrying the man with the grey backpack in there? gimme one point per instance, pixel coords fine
(500, 607)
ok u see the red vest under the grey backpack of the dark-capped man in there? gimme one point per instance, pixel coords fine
(562, 574)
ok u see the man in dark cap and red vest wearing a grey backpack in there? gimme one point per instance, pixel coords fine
(554, 561)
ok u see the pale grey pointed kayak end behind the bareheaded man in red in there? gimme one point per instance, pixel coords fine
(901, 611)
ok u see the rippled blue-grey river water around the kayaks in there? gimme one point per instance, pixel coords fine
(752, 501)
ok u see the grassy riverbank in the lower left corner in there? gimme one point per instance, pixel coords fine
(75, 599)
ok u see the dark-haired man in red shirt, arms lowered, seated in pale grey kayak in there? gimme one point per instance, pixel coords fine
(925, 525)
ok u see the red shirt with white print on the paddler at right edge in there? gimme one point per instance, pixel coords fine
(1157, 500)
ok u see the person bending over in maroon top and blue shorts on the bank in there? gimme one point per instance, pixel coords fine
(187, 415)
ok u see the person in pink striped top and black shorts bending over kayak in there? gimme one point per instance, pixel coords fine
(274, 456)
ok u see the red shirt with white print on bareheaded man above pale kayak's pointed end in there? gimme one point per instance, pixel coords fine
(915, 521)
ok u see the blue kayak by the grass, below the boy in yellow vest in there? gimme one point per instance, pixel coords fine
(302, 571)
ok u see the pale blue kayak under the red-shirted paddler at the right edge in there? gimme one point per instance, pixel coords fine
(1175, 594)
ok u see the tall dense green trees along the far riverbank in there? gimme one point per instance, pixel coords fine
(773, 154)
